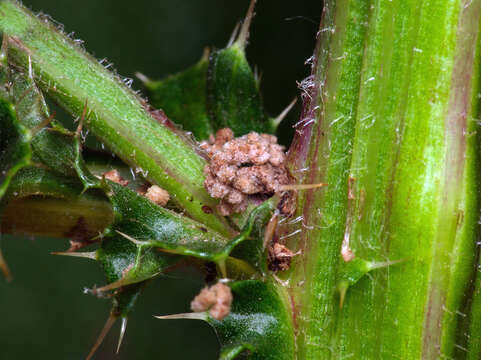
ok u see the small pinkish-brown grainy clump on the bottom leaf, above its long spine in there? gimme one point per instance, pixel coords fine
(217, 299)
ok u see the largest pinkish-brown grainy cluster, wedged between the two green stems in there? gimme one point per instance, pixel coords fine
(250, 167)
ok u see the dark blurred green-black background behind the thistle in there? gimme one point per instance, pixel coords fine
(43, 312)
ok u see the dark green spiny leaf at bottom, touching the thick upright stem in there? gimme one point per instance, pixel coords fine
(257, 327)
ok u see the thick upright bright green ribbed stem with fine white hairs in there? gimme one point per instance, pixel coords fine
(390, 126)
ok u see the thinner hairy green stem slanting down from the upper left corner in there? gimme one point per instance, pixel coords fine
(115, 114)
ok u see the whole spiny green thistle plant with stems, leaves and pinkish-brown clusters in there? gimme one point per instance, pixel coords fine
(361, 241)
